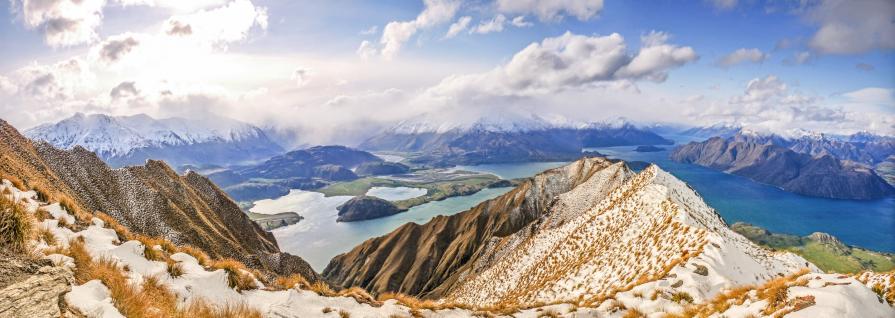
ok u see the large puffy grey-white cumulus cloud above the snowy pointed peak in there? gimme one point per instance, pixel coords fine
(565, 62)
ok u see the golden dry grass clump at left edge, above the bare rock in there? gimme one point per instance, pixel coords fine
(15, 225)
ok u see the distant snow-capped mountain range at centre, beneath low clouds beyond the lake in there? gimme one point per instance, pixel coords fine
(490, 140)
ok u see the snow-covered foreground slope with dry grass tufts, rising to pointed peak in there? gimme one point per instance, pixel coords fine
(619, 244)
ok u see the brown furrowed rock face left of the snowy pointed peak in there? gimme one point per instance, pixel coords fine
(427, 260)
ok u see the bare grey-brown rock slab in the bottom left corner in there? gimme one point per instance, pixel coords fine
(32, 288)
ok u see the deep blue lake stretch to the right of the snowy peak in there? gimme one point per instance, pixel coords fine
(868, 224)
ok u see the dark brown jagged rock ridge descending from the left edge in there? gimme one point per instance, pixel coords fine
(151, 200)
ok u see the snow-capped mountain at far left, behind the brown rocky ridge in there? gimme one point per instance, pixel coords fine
(129, 140)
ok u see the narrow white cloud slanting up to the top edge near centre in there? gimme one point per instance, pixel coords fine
(396, 33)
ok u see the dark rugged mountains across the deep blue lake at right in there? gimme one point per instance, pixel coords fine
(821, 176)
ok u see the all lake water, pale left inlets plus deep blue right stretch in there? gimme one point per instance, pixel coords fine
(869, 224)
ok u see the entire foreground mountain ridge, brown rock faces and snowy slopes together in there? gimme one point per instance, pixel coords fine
(592, 238)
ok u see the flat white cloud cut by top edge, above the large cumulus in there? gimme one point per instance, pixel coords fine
(552, 10)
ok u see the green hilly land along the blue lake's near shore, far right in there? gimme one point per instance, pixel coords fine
(822, 249)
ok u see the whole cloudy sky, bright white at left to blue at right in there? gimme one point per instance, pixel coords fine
(336, 71)
